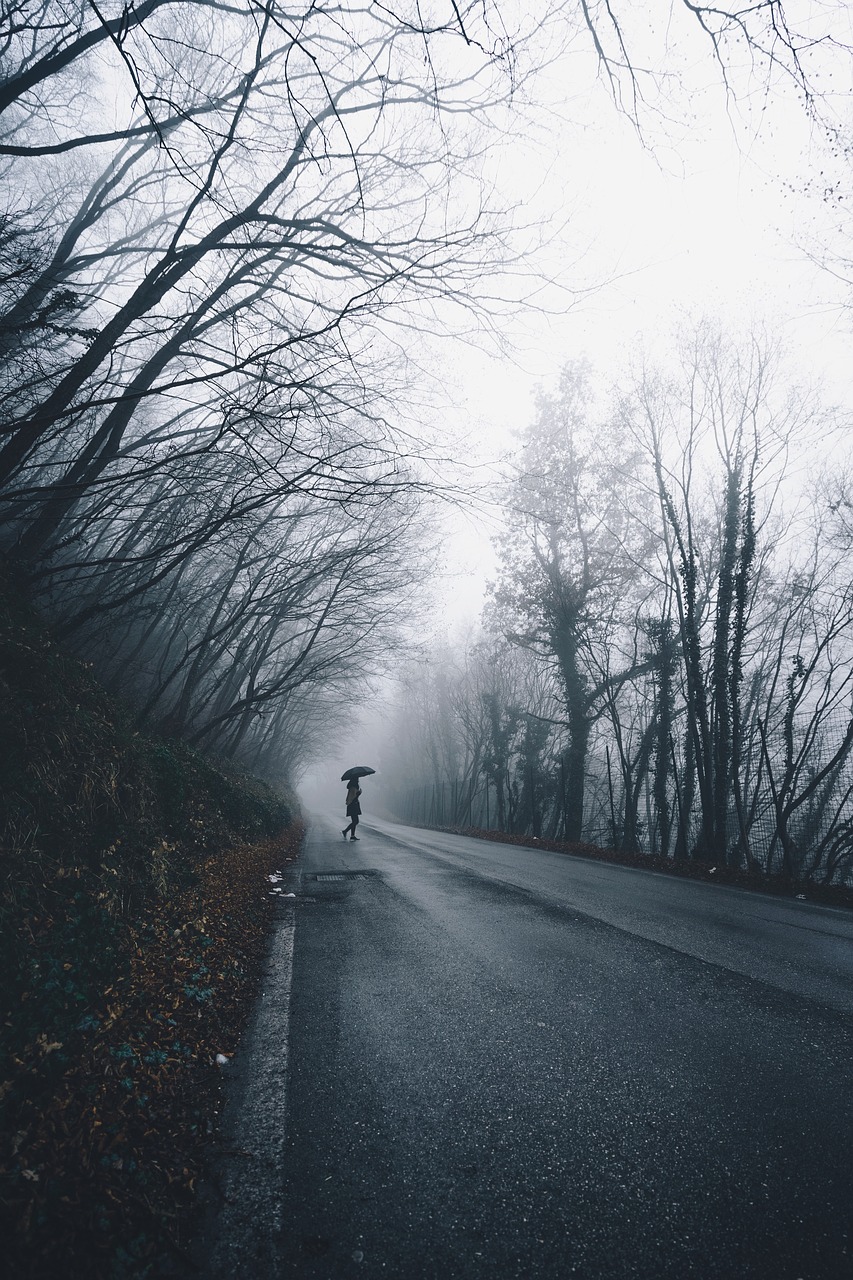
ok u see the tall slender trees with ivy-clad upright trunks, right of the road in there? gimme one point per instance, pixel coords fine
(722, 418)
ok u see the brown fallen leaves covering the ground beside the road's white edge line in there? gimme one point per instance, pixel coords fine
(112, 1146)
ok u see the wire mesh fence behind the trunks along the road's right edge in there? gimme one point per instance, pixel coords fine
(811, 842)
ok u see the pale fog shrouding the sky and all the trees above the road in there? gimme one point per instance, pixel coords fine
(291, 442)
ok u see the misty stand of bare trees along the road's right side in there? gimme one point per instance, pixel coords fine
(665, 664)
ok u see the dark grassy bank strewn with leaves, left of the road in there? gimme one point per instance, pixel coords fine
(134, 917)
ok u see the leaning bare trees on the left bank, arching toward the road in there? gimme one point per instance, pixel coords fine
(202, 327)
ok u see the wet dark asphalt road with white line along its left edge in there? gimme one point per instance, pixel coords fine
(509, 1063)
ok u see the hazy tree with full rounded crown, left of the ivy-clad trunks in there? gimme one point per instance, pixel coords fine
(569, 555)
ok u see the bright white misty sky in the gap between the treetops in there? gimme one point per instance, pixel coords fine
(717, 208)
